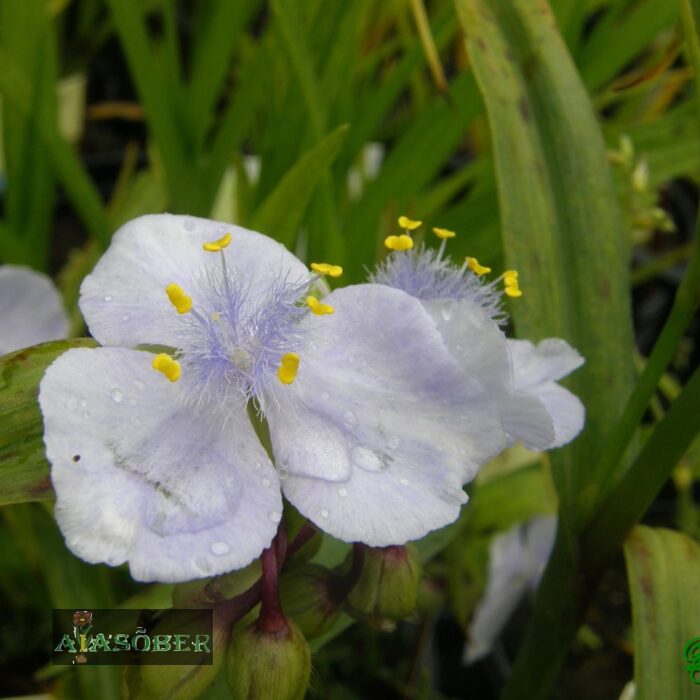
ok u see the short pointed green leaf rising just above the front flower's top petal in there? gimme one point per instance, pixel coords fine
(281, 213)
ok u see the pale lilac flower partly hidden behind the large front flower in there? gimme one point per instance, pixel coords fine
(520, 376)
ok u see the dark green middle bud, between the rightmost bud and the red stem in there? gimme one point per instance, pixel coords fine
(307, 595)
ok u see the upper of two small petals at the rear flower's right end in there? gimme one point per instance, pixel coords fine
(549, 361)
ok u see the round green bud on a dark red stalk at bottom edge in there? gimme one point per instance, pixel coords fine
(265, 665)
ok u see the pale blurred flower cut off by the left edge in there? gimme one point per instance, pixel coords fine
(31, 310)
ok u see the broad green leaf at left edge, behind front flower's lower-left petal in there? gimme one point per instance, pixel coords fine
(24, 471)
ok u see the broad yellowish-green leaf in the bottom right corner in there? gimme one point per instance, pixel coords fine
(663, 568)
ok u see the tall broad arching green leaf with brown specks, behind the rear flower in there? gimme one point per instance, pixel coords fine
(562, 227)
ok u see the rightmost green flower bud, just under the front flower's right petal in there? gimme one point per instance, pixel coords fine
(387, 588)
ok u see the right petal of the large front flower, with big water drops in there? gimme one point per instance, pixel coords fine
(397, 426)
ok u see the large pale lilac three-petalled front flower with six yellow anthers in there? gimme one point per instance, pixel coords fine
(373, 425)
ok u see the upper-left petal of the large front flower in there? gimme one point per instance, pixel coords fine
(124, 300)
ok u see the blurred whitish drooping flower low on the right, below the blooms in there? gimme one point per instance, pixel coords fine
(516, 561)
